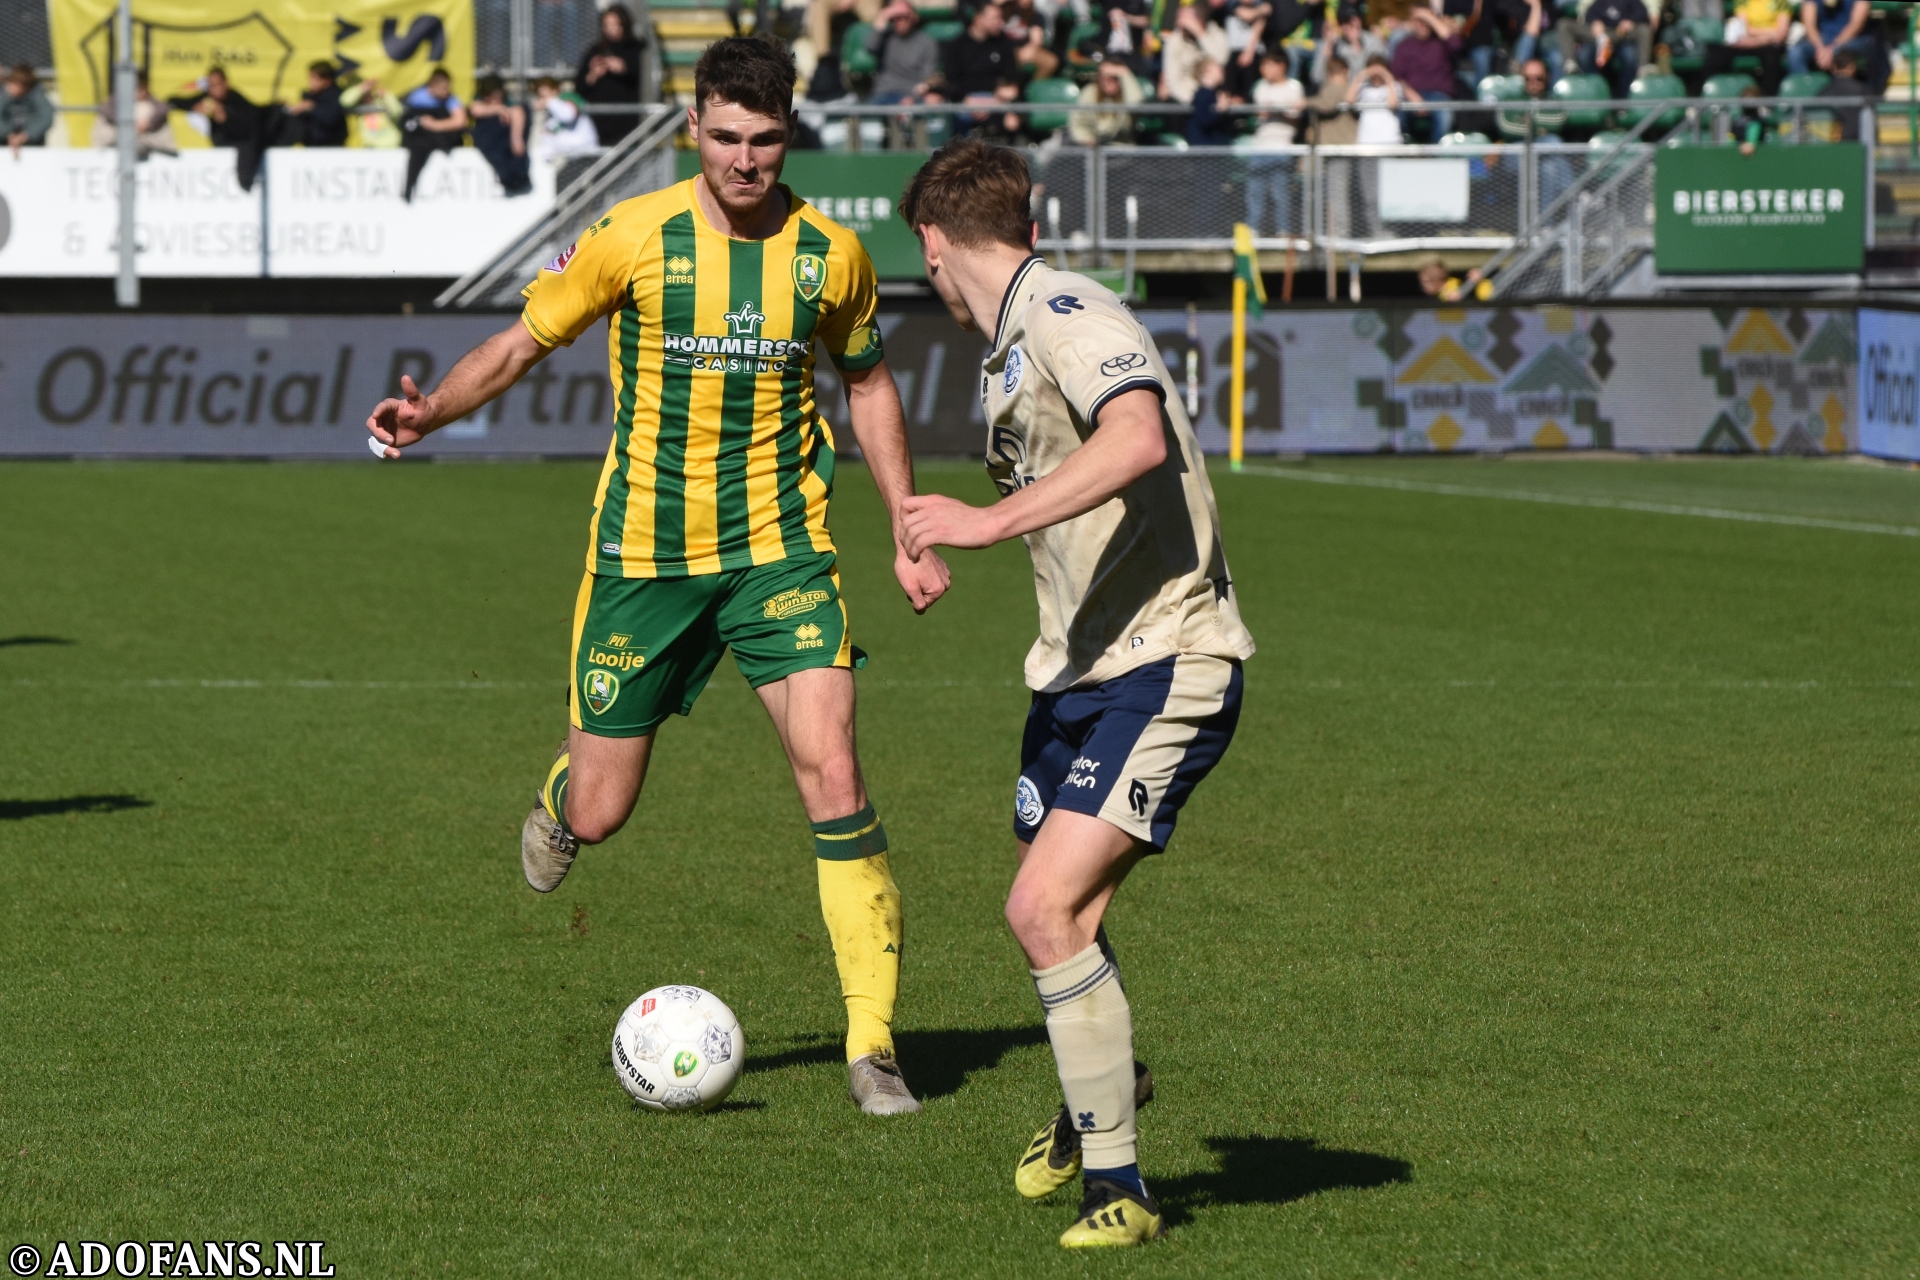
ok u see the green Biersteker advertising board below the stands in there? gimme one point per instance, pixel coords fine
(1781, 210)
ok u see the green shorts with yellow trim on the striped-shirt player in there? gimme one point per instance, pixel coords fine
(644, 648)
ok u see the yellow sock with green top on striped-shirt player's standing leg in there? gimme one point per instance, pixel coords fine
(863, 913)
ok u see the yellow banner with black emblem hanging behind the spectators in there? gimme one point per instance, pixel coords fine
(264, 49)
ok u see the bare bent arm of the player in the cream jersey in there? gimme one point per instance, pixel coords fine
(1128, 442)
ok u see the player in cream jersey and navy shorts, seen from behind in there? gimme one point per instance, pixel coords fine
(1138, 671)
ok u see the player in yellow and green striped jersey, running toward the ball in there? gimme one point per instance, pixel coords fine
(709, 525)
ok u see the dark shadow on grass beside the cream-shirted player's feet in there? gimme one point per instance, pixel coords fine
(1274, 1172)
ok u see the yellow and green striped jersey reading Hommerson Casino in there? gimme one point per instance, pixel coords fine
(719, 458)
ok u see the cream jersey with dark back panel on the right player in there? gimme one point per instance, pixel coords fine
(1141, 577)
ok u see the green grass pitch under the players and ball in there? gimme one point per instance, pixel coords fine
(1554, 913)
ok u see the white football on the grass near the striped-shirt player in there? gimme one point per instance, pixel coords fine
(679, 1049)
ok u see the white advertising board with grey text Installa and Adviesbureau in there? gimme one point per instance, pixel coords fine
(325, 212)
